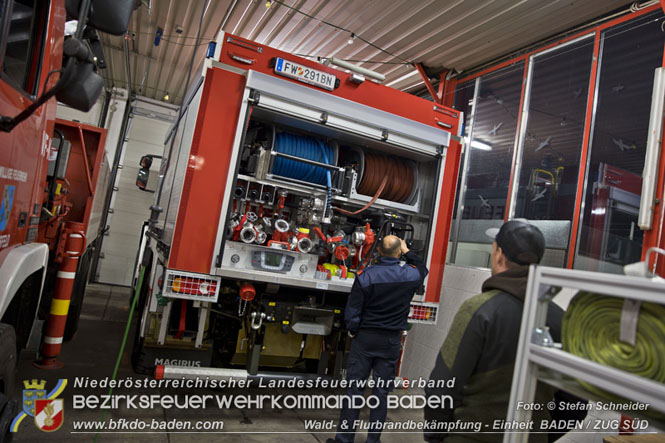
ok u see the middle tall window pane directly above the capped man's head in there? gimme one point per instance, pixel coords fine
(551, 142)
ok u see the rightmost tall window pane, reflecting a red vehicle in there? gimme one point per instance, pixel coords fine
(609, 236)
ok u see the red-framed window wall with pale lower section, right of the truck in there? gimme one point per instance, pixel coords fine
(556, 113)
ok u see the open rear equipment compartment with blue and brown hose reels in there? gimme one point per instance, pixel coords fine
(308, 206)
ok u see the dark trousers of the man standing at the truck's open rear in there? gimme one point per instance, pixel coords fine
(376, 351)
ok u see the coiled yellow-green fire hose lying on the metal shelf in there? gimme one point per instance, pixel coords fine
(591, 329)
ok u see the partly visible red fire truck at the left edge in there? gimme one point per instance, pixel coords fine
(48, 167)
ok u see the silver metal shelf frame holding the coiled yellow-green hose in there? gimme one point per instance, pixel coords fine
(537, 362)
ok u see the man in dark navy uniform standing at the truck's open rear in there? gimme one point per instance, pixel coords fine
(376, 314)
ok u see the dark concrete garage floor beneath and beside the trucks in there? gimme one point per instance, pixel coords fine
(93, 353)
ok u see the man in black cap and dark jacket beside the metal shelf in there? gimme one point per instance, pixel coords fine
(480, 348)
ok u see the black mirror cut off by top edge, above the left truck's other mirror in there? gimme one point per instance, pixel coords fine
(110, 16)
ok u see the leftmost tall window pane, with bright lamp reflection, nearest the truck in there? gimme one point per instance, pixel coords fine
(489, 137)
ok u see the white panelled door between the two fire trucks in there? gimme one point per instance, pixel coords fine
(130, 205)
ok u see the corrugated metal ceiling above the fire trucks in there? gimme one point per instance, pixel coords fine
(459, 34)
